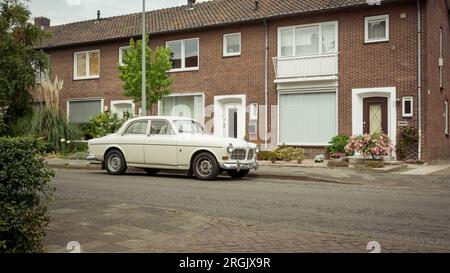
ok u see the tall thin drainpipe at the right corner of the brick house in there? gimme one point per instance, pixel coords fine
(419, 78)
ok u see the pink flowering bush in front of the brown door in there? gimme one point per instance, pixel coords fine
(375, 145)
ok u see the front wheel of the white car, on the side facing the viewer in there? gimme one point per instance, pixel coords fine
(205, 167)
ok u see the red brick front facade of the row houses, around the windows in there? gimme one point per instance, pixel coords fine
(361, 65)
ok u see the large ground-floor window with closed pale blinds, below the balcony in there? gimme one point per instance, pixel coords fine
(307, 119)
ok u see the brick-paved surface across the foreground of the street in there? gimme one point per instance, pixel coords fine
(133, 228)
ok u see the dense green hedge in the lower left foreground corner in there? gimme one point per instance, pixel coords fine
(25, 191)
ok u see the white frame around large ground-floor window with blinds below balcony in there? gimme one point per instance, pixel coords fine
(310, 91)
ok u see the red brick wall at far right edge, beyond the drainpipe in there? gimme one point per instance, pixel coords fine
(436, 143)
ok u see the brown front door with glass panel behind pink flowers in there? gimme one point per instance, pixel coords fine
(375, 115)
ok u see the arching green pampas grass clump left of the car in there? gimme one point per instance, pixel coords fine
(48, 124)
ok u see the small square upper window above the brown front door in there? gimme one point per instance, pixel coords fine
(377, 29)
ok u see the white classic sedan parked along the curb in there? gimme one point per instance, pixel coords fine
(172, 143)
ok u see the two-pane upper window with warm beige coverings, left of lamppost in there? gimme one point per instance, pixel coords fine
(86, 65)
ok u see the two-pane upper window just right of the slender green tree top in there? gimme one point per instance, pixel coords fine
(184, 54)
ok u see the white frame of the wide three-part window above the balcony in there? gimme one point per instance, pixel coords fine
(320, 25)
